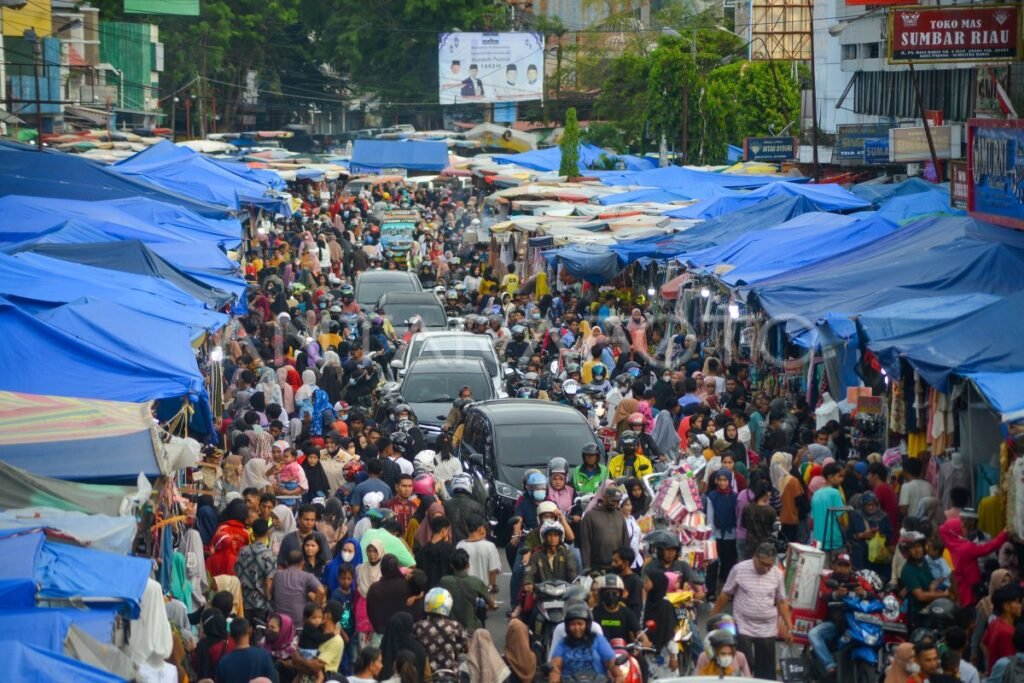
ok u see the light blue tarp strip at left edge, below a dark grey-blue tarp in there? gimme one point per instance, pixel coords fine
(42, 283)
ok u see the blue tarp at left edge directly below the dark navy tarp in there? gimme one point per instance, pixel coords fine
(145, 221)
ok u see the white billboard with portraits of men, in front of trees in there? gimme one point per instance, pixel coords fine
(490, 67)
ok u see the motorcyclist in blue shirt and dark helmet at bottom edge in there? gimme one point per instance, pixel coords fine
(583, 654)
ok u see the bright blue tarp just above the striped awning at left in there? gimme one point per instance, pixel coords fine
(52, 361)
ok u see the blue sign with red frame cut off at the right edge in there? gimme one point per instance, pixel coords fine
(996, 170)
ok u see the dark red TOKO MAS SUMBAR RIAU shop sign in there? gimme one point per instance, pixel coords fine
(964, 33)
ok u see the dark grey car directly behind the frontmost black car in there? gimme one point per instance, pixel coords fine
(432, 386)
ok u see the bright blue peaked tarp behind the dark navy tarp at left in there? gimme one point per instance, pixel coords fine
(188, 173)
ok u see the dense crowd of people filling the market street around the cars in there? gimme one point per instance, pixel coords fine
(340, 547)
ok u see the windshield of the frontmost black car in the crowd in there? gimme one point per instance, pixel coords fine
(524, 447)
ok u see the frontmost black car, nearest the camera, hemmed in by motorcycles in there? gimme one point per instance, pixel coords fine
(505, 438)
